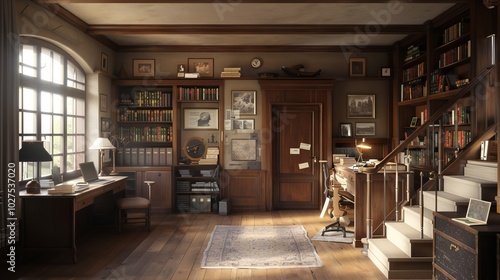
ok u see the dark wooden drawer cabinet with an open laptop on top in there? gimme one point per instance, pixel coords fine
(463, 252)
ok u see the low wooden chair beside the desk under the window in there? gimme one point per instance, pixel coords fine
(134, 208)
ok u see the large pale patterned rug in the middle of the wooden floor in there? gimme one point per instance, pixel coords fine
(259, 247)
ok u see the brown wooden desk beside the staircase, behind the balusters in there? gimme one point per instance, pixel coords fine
(356, 185)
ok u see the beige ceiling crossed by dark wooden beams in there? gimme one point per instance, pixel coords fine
(240, 25)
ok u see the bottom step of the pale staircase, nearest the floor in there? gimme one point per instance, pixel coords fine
(396, 264)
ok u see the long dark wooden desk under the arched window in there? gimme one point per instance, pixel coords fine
(49, 220)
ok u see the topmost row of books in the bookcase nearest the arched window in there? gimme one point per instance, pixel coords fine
(147, 99)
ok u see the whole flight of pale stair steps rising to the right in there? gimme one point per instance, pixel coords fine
(403, 254)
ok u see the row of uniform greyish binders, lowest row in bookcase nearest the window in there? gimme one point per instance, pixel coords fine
(144, 156)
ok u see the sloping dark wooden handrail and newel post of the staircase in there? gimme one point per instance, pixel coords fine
(432, 119)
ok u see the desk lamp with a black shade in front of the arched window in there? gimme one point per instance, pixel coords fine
(33, 151)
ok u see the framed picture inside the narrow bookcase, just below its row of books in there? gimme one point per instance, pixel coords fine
(201, 118)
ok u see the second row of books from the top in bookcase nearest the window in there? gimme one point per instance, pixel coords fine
(147, 134)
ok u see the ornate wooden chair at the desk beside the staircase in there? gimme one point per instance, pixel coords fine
(339, 203)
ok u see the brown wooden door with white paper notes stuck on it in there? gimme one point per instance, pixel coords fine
(296, 144)
